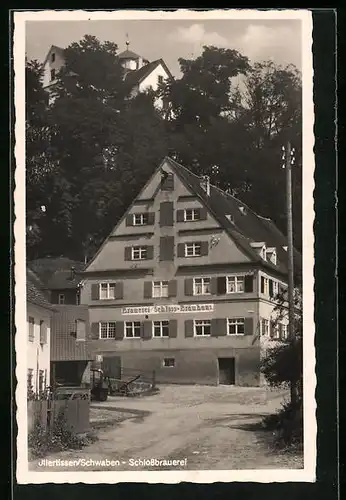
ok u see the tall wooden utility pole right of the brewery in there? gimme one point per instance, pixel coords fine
(288, 157)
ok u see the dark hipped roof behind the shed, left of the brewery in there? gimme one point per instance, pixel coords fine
(55, 272)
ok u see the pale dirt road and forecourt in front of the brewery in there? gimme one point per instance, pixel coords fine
(201, 427)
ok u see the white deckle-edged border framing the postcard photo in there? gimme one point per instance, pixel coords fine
(24, 476)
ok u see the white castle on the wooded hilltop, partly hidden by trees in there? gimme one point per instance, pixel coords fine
(139, 72)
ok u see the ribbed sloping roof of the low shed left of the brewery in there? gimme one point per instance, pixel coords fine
(64, 346)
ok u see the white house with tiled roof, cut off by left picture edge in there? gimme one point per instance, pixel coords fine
(39, 313)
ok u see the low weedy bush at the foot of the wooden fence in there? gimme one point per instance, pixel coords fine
(58, 437)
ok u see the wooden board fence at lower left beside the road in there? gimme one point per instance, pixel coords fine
(76, 413)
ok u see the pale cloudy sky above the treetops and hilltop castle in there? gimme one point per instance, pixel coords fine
(279, 40)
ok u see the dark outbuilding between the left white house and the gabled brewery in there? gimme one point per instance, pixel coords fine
(69, 355)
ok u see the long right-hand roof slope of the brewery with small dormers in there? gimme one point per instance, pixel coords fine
(244, 229)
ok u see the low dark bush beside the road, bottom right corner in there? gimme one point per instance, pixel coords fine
(287, 425)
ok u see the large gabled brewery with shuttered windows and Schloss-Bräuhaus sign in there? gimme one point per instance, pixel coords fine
(185, 283)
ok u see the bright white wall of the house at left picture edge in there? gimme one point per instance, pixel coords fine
(38, 356)
